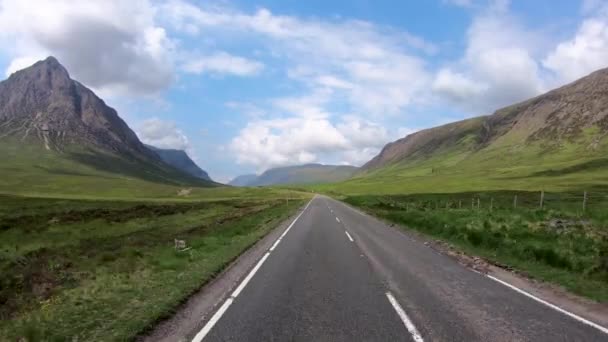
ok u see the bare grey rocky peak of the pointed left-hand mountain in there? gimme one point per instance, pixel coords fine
(42, 103)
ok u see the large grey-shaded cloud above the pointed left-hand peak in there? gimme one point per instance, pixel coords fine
(113, 46)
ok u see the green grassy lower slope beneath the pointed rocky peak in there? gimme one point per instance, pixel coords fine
(29, 169)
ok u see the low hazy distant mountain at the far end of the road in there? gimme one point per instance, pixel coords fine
(300, 174)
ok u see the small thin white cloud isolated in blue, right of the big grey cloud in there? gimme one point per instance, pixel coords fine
(223, 63)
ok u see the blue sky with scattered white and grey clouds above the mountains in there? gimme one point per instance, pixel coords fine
(244, 85)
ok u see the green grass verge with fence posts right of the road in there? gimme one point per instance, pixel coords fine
(558, 244)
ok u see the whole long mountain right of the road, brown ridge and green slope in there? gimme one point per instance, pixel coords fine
(559, 134)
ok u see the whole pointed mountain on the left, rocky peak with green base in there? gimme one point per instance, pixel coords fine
(55, 133)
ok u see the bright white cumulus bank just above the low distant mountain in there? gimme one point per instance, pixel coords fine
(297, 140)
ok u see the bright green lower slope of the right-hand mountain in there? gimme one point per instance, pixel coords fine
(504, 165)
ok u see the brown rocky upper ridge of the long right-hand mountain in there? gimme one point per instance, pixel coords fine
(552, 119)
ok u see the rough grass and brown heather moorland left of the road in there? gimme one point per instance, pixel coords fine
(108, 270)
